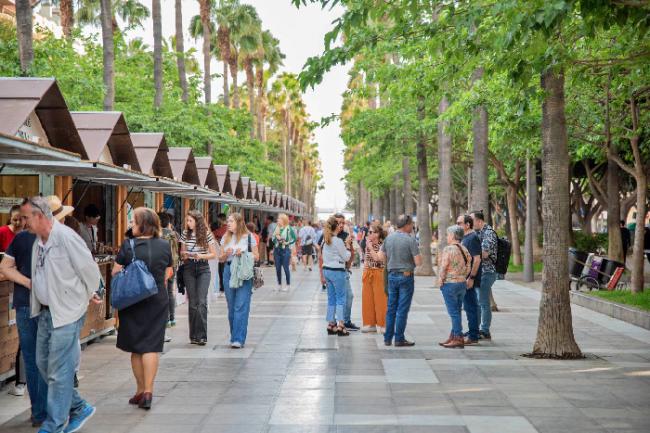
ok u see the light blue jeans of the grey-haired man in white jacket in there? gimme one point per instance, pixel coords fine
(57, 357)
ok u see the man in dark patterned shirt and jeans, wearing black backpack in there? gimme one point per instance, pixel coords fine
(489, 244)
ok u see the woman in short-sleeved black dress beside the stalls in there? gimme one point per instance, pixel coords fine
(142, 325)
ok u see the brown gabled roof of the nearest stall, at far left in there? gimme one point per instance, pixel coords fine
(20, 97)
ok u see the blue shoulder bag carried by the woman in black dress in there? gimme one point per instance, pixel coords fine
(132, 284)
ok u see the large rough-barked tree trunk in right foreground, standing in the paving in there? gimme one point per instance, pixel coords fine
(555, 337)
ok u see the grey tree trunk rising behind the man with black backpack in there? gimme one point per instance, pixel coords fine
(480, 198)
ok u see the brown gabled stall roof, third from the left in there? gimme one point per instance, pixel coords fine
(152, 153)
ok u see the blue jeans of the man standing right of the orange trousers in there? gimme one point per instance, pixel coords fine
(400, 295)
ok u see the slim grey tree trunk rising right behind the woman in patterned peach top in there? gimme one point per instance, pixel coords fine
(444, 176)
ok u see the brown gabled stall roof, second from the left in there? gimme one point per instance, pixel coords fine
(103, 131)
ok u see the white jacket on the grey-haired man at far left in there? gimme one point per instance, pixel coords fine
(71, 274)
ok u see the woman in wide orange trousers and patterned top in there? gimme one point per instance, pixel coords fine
(373, 297)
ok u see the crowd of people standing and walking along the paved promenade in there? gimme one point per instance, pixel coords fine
(49, 258)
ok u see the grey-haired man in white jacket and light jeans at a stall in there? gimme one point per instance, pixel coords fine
(65, 278)
